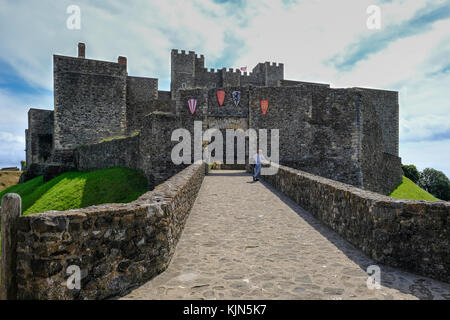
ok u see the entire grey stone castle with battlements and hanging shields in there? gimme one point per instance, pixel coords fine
(103, 117)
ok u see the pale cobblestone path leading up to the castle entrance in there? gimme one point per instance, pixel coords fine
(245, 240)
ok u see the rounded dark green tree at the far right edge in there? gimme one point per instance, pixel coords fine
(436, 183)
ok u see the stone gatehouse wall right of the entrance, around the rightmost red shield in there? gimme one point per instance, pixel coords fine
(318, 128)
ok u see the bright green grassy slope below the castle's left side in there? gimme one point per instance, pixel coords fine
(80, 189)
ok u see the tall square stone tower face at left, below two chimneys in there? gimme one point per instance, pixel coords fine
(90, 101)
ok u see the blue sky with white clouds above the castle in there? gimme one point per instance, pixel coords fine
(320, 41)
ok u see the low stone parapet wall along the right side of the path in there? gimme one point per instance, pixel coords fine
(411, 235)
